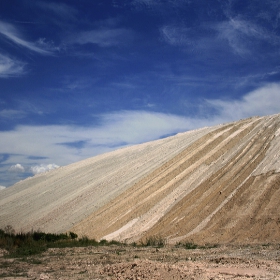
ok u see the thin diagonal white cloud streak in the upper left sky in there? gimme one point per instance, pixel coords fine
(11, 33)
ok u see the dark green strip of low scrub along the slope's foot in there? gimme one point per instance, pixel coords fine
(27, 244)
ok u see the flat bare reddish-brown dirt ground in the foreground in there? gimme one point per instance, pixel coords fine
(127, 262)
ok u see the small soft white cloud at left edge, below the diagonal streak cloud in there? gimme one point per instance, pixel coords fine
(10, 67)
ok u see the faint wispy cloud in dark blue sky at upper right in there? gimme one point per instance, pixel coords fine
(235, 34)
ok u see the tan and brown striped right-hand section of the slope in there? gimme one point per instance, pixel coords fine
(212, 191)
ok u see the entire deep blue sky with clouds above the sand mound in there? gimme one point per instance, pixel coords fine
(80, 78)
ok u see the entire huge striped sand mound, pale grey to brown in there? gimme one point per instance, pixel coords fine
(215, 184)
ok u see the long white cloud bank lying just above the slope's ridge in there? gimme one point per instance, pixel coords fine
(64, 144)
